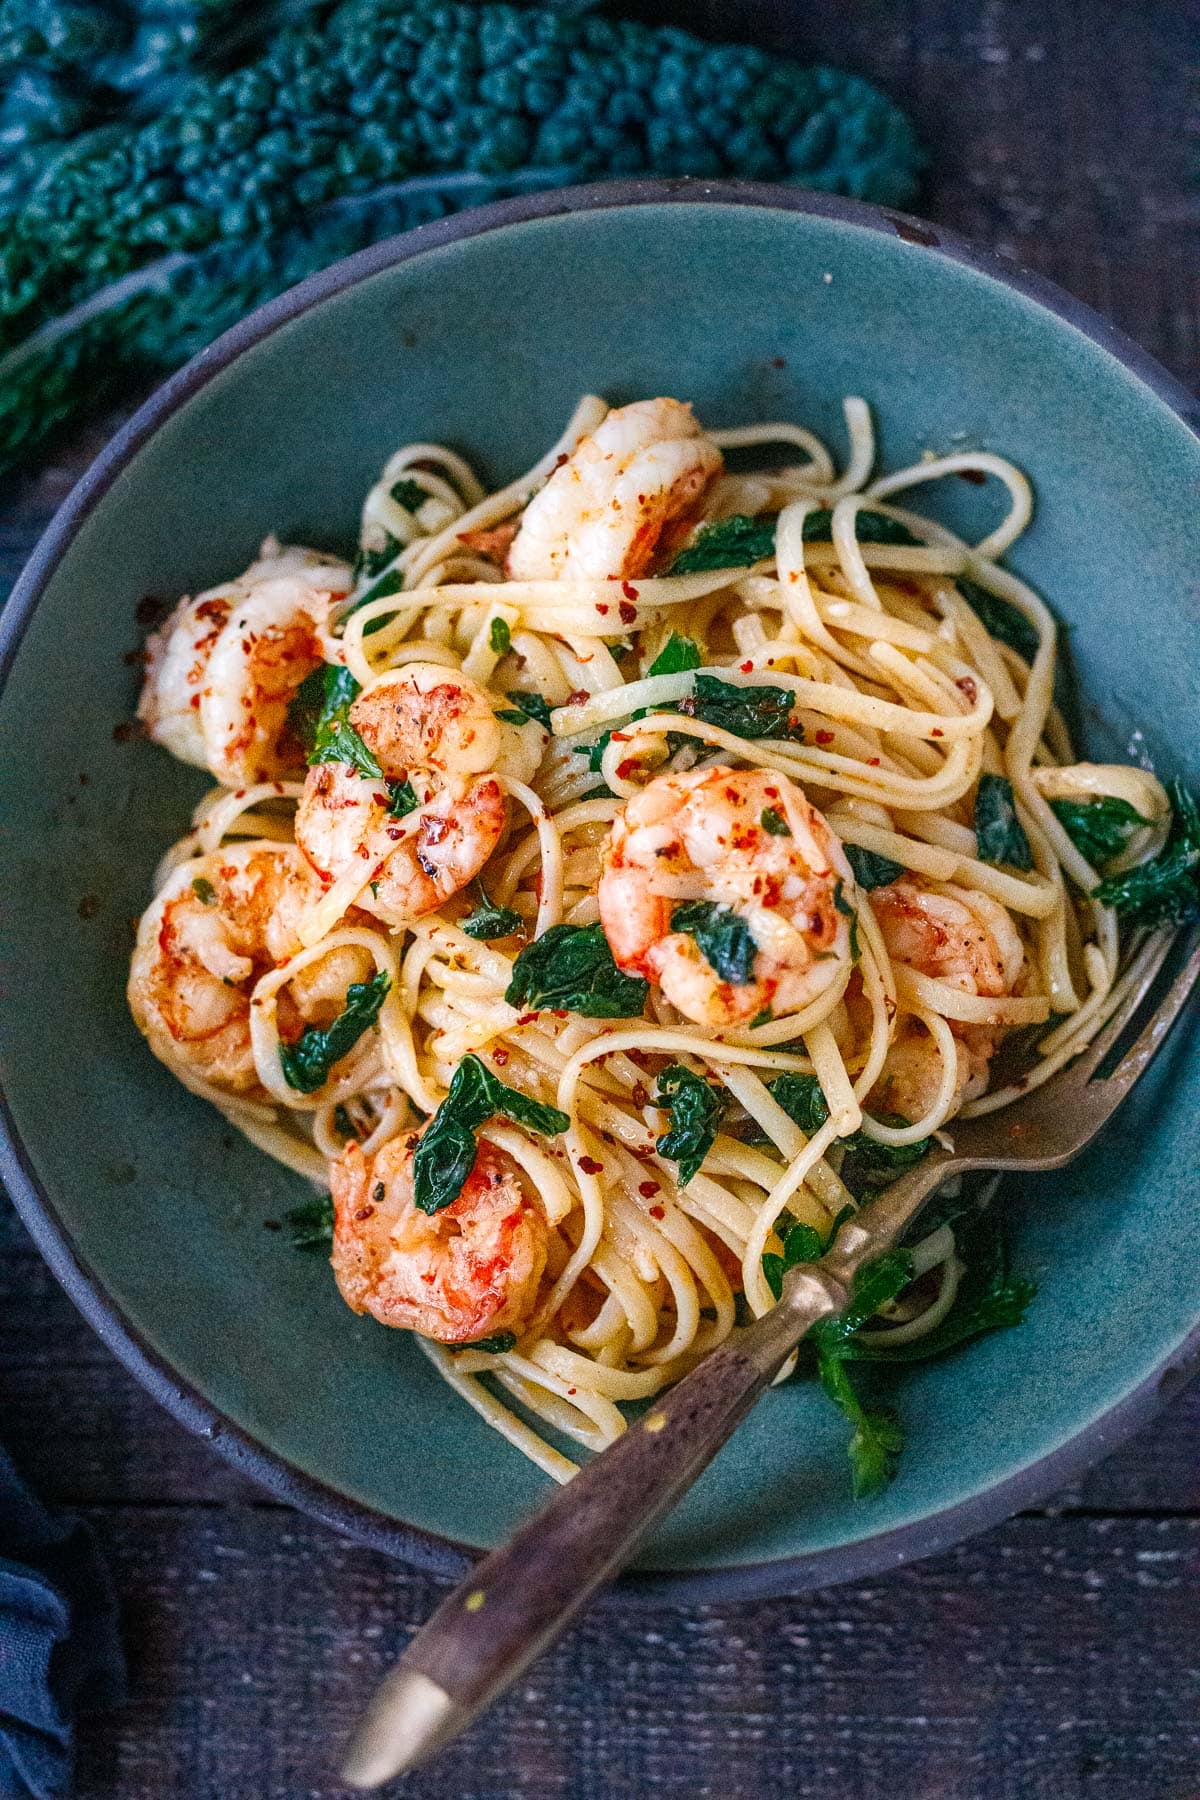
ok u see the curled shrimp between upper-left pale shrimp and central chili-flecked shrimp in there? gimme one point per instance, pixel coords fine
(434, 728)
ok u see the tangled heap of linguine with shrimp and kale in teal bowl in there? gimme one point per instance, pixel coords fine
(909, 771)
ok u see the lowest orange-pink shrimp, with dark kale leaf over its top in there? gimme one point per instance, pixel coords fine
(463, 1273)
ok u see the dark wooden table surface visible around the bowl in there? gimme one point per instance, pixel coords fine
(1055, 1659)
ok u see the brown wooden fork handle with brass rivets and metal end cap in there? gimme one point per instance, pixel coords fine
(523, 1597)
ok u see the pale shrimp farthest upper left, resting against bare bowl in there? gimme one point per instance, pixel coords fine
(226, 665)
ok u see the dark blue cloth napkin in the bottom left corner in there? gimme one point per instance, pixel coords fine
(60, 1650)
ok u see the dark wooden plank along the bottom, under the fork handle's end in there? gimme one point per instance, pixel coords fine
(256, 1639)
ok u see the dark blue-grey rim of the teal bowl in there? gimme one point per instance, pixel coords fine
(442, 1556)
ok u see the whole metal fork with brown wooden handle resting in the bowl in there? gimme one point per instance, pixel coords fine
(519, 1601)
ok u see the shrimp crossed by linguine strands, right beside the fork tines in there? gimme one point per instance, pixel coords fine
(971, 944)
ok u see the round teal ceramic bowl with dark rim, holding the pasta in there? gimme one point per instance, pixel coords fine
(481, 332)
